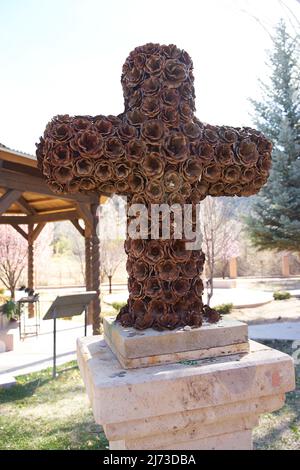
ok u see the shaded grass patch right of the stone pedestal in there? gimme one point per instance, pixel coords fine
(280, 430)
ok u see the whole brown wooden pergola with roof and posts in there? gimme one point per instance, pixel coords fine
(25, 199)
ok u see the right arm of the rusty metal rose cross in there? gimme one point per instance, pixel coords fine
(236, 160)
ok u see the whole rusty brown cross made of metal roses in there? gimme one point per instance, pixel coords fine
(156, 151)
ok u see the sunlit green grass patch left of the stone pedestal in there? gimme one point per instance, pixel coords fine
(42, 413)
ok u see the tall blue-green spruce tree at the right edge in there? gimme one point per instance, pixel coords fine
(274, 222)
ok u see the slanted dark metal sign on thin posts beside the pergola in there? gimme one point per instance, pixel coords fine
(68, 306)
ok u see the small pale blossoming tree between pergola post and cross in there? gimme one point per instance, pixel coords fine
(112, 254)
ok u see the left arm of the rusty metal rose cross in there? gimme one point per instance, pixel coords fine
(84, 153)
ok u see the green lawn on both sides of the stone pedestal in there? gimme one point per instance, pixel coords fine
(42, 413)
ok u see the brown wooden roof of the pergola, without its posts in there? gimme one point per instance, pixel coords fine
(25, 197)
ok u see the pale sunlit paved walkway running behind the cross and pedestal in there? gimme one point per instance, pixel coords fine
(281, 321)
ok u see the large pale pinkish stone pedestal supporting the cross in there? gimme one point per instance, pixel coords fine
(211, 403)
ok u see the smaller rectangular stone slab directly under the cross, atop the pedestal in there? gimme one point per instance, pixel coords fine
(146, 348)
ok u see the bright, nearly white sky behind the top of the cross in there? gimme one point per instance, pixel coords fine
(65, 56)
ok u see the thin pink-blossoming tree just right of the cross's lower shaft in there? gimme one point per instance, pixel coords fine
(220, 232)
